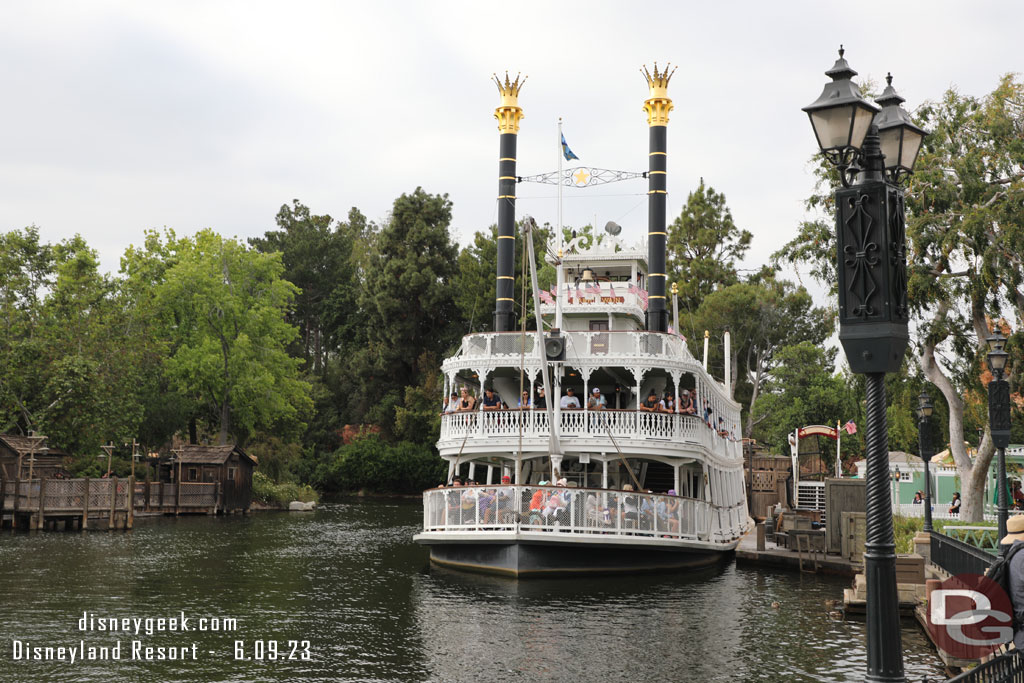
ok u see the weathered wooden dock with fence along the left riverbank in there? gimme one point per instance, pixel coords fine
(86, 503)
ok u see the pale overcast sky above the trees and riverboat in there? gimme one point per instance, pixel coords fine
(117, 117)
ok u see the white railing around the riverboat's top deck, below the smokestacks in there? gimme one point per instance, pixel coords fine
(624, 344)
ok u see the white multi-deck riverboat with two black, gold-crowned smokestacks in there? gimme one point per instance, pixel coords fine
(564, 490)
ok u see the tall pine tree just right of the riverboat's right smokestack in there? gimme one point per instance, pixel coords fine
(705, 246)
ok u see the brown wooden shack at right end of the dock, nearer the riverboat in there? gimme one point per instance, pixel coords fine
(229, 466)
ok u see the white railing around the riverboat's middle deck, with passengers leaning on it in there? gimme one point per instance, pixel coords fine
(626, 424)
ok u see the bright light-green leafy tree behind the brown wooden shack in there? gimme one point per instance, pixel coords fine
(227, 307)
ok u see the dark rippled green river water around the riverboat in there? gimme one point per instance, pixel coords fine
(349, 580)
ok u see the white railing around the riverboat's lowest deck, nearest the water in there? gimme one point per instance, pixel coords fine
(572, 510)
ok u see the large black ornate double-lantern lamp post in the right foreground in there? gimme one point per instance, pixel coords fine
(873, 311)
